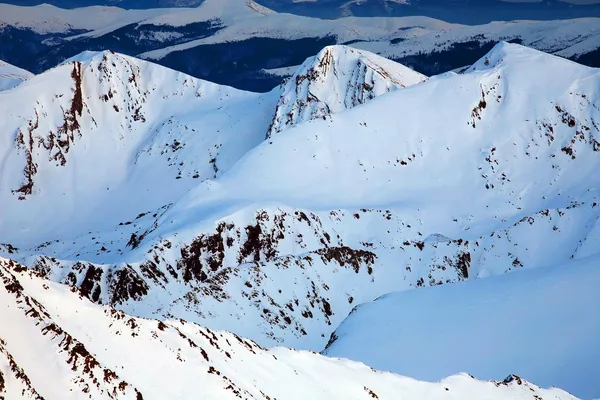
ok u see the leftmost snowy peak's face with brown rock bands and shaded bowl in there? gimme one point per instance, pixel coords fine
(104, 137)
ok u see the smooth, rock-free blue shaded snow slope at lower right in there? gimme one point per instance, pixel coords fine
(550, 314)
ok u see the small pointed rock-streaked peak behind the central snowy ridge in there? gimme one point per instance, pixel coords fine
(337, 79)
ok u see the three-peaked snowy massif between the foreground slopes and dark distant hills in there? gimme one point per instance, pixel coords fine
(157, 193)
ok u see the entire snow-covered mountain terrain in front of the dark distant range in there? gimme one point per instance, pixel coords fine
(162, 236)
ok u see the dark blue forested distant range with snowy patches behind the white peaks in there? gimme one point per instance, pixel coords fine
(248, 46)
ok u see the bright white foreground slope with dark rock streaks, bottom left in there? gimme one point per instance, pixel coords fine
(101, 353)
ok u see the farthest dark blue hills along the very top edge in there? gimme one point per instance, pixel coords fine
(456, 11)
